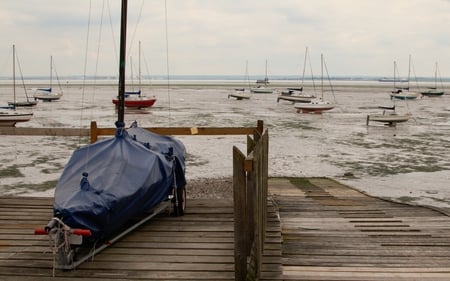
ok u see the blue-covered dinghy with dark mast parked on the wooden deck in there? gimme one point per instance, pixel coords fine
(108, 184)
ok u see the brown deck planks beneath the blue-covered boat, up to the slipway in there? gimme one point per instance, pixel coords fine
(197, 246)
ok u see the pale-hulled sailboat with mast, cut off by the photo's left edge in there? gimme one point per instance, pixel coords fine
(9, 116)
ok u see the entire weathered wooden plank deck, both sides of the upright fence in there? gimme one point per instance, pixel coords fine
(317, 229)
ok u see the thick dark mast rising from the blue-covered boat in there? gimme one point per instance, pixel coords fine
(123, 37)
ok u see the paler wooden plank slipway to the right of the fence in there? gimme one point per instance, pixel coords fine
(332, 232)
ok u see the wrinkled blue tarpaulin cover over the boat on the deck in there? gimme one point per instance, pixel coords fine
(107, 183)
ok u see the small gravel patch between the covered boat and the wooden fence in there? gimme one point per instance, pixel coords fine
(210, 188)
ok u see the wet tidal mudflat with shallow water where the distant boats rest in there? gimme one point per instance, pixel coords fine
(409, 162)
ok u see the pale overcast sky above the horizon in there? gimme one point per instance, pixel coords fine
(224, 37)
